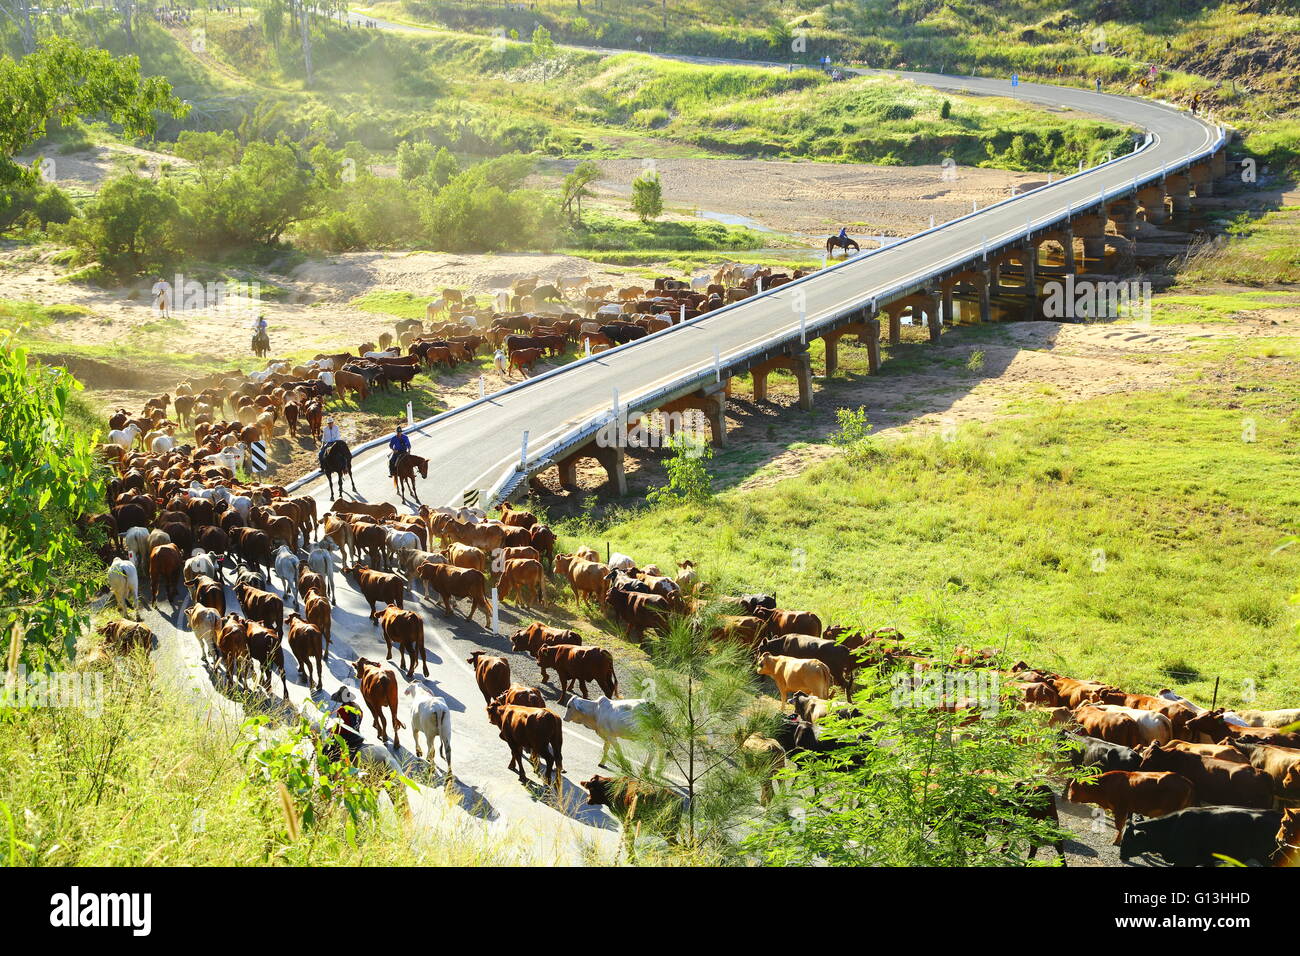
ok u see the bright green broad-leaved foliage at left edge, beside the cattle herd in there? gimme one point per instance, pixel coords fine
(49, 478)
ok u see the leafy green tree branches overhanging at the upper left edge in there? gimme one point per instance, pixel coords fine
(64, 80)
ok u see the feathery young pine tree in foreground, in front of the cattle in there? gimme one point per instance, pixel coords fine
(703, 708)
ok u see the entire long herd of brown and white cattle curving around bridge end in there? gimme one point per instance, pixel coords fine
(180, 522)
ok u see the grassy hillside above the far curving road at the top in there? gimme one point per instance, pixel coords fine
(1241, 58)
